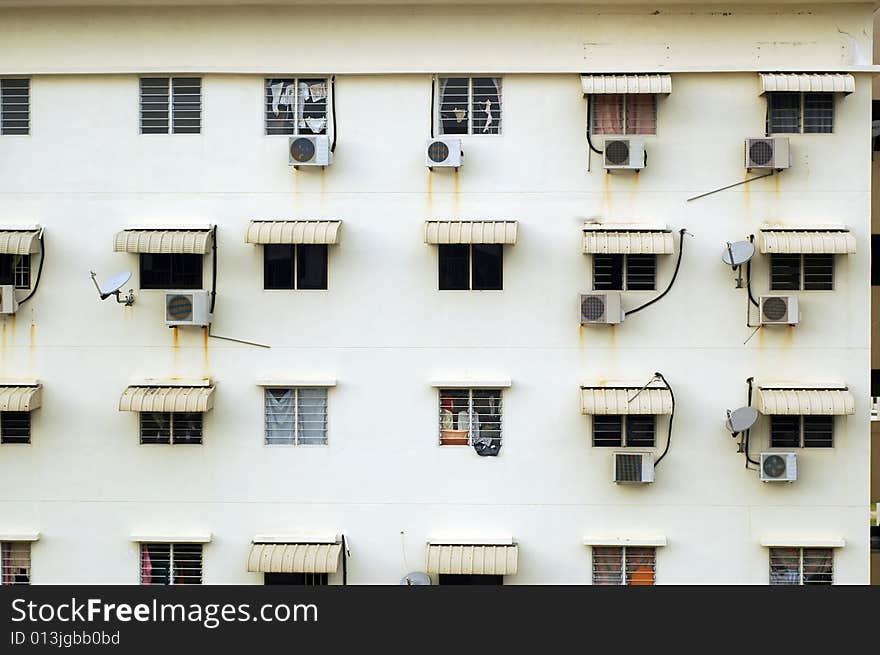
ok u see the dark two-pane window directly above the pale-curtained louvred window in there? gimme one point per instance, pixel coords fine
(288, 266)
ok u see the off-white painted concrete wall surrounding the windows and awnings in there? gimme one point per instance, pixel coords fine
(383, 330)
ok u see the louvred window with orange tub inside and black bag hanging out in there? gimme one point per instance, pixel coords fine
(470, 417)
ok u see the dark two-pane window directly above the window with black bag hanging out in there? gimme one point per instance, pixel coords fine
(477, 267)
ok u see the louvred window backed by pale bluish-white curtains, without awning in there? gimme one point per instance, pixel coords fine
(296, 417)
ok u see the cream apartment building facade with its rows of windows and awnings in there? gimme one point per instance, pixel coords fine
(408, 308)
